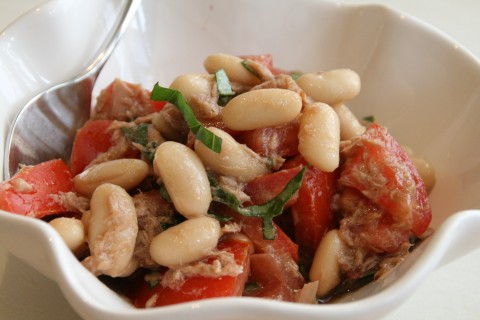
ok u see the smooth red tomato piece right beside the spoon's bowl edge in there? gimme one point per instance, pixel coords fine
(91, 140)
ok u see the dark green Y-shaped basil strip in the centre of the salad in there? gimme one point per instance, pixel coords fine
(266, 211)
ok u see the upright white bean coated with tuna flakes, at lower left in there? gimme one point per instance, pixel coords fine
(112, 231)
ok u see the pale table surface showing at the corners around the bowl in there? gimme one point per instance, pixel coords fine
(451, 292)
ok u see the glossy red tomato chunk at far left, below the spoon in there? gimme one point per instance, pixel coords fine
(40, 182)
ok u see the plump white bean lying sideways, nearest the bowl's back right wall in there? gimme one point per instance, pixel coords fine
(331, 87)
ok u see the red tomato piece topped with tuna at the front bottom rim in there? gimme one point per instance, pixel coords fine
(198, 287)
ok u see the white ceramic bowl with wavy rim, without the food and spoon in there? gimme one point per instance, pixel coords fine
(419, 83)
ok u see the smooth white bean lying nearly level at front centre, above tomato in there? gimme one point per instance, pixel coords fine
(186, 242)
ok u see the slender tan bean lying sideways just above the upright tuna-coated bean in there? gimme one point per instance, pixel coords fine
(127, 173)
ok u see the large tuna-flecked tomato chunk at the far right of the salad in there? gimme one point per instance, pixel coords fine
(402, 194)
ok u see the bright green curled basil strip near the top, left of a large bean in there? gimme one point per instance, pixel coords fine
(208, 138)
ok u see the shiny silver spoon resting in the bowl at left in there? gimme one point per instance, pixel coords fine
(46, 126)
